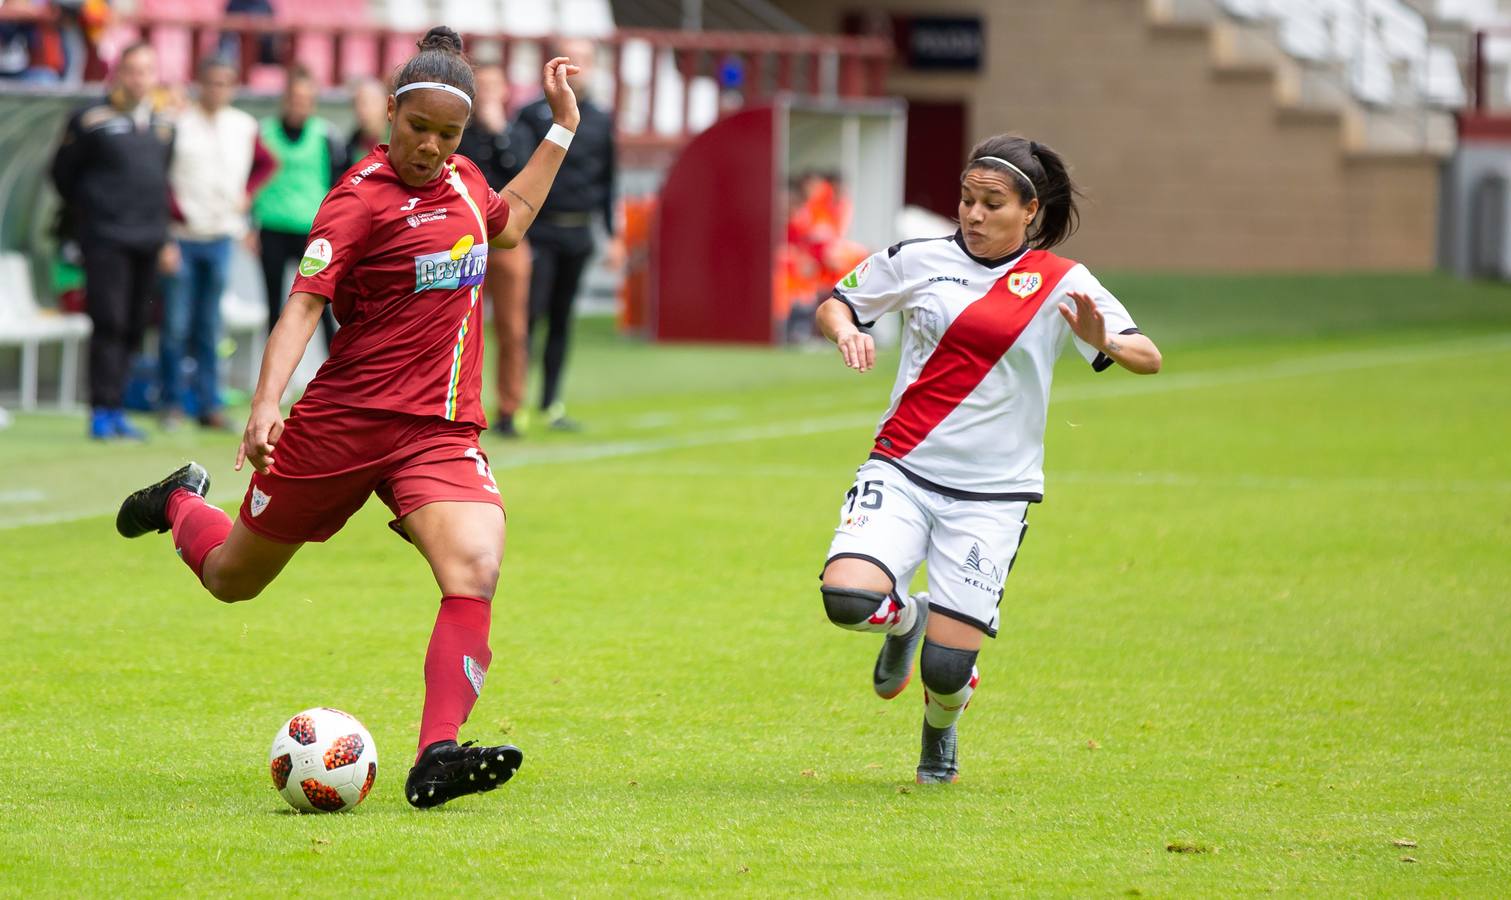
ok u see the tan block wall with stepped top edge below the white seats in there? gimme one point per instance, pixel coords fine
(1185, 164)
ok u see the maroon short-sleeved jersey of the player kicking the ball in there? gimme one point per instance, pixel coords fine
(403, 268)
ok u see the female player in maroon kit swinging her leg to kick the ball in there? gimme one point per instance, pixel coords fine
(400, 251)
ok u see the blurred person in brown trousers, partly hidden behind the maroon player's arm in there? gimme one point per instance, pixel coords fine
(501, 152)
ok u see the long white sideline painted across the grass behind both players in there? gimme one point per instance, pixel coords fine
(1293, 368)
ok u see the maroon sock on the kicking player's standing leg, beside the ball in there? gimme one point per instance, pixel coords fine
(454, 667)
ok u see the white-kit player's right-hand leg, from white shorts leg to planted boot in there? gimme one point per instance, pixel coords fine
(972, 550)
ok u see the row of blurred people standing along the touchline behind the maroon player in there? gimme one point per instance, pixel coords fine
(161, 183)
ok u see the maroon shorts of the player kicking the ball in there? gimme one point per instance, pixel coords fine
(330, 460)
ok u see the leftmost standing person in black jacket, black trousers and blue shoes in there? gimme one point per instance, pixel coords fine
(113, 174)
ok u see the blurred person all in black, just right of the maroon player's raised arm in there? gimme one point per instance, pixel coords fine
(561, 239)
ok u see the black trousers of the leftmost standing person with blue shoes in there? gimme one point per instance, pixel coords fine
(120, 285)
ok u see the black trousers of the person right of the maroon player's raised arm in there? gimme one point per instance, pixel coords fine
(558, 257)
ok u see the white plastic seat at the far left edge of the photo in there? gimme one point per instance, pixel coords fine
(25, 325)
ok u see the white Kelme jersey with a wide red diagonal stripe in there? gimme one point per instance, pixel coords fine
(980, 345)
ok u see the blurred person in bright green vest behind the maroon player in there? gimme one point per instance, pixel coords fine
(311, 159)
